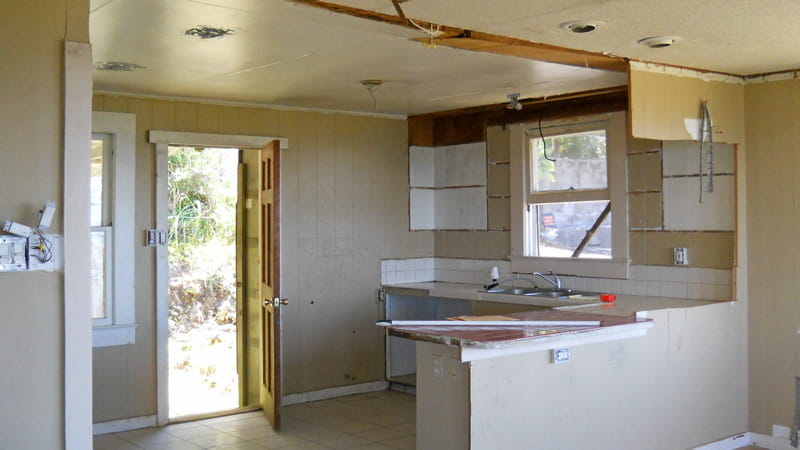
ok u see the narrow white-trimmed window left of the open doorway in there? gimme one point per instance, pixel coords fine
(111, 204)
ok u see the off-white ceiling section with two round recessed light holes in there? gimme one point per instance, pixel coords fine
(741, 37)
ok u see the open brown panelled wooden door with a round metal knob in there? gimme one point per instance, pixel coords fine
(270, 391)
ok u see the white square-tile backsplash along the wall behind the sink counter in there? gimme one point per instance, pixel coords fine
(661, 281)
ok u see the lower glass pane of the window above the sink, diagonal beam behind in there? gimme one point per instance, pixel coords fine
(562, 226)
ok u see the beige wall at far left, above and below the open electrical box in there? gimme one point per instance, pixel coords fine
(31, 380)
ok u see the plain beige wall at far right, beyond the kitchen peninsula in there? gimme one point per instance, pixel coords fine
(773, 168)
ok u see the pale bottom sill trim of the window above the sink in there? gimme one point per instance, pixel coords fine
(598, 268)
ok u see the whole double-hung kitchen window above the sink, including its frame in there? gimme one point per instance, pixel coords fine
(568, 196)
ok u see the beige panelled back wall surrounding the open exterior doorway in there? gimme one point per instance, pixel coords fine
(344, 207)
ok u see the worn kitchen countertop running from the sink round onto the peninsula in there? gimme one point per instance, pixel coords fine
(628, 319)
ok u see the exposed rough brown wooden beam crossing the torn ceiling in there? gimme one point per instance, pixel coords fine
(483, 42)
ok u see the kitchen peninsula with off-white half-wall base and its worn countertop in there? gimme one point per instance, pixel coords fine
(497, 387)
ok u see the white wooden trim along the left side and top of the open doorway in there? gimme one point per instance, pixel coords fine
(163, 140)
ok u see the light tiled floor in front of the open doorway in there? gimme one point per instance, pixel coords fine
(379, 420)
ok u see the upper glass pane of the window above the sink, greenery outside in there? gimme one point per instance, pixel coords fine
(574, 161)
